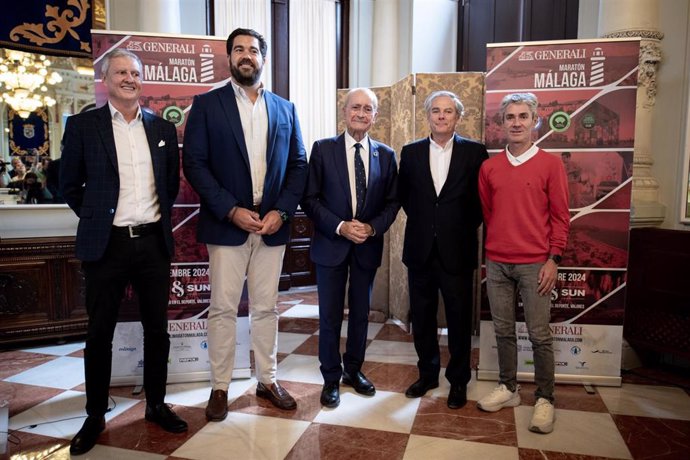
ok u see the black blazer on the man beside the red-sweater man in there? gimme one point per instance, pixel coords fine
(452, 217)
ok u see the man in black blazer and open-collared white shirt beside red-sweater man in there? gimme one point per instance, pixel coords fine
(438, 191)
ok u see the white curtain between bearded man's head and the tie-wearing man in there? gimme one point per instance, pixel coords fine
(313, 67)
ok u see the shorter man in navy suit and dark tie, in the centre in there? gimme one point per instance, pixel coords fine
(351, 197)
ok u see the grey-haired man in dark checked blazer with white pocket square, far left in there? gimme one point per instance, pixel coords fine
(121, 175)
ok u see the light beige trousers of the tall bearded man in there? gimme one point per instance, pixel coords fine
(229, 265)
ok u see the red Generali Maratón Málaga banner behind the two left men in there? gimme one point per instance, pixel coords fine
(176, 68)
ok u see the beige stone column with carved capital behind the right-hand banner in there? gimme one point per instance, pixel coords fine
(640, 18)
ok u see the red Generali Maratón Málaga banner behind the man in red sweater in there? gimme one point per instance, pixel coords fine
(587, 95)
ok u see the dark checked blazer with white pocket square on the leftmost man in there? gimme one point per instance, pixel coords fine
(90, 181)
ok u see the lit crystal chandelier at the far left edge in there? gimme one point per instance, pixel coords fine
(23, 80)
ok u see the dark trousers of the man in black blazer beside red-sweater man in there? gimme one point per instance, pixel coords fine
(456, 289)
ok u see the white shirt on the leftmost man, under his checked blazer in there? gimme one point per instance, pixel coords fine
(138, 200)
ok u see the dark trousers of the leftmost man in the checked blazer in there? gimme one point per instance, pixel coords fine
(144, 262)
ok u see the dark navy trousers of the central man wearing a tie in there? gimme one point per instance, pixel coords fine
(331, 283)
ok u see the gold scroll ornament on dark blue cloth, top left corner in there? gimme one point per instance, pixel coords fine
(63, 23)
